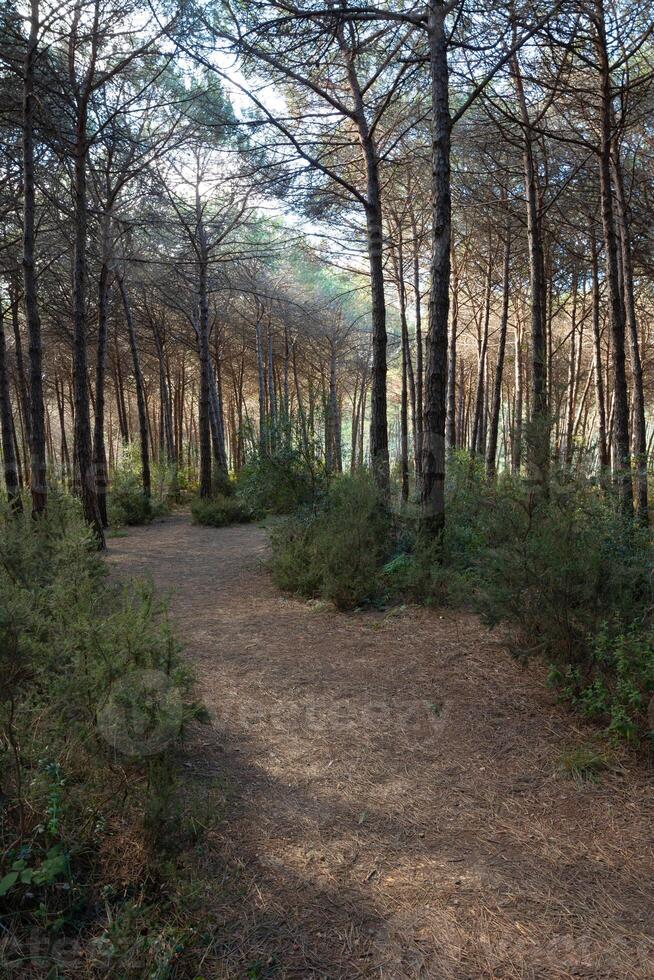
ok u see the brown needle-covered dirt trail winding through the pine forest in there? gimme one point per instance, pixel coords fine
(396, 806)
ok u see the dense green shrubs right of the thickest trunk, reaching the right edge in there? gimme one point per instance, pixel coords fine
(563, 568)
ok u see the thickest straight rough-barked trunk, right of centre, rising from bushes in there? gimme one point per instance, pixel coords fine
(433, 450)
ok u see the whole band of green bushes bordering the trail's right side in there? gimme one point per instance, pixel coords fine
(562, 569)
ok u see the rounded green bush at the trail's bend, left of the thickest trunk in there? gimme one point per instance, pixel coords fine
(336, 552)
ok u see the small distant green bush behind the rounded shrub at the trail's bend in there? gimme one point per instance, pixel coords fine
(281, 482)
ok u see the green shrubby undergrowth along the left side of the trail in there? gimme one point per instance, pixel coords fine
(94, 703)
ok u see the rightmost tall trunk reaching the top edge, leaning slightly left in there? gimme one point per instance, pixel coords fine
(621, 460)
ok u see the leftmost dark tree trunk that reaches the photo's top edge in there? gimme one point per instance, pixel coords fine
(38, 465)
